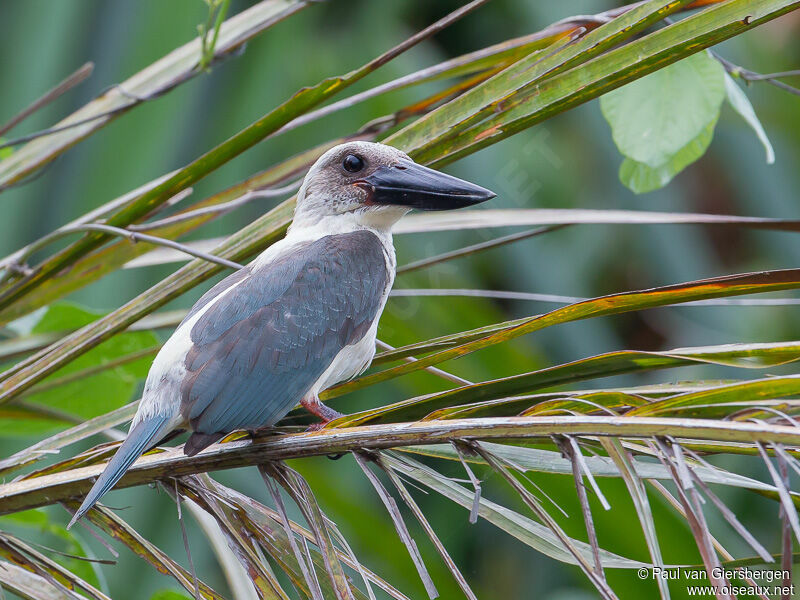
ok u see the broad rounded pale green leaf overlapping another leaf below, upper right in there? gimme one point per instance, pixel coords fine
(654, 118)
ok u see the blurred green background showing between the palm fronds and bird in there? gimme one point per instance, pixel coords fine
(569, 161)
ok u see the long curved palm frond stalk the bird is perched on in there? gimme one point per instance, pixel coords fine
(49, 489)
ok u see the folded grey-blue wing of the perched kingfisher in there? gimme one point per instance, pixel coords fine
(262, 346)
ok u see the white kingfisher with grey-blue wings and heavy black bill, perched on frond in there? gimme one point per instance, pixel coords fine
(299, 318)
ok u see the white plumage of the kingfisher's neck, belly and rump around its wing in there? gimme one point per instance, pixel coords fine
(161, 396)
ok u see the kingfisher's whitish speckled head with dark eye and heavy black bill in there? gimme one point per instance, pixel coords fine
(378, 184)
